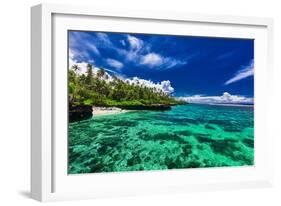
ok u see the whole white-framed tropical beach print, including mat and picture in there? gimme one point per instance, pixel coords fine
(133, 102)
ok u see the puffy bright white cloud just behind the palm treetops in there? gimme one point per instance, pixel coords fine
(163, 86)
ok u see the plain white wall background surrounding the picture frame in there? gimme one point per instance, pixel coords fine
(15, 100)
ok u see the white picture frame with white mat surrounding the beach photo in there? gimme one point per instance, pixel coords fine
(49, 180)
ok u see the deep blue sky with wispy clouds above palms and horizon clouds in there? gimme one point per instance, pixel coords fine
(194, 65)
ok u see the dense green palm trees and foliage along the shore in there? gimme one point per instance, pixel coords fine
(90, 89)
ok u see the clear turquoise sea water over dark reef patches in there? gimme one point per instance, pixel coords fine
(188, 136)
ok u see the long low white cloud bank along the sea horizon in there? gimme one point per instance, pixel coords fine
(226, 98)
